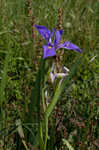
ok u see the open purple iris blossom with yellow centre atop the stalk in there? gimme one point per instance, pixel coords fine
(51, 47)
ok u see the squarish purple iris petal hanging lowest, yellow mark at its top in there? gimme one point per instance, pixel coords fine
(48, 51)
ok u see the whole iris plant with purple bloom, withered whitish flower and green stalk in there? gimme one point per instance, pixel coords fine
(50, 50)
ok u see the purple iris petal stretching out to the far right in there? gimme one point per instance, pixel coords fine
(69, 46)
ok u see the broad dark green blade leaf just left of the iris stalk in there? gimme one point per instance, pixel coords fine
(34, 106)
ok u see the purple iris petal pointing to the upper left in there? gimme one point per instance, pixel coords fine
(44, 32)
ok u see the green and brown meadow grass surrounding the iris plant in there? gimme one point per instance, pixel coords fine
(20, 52)
